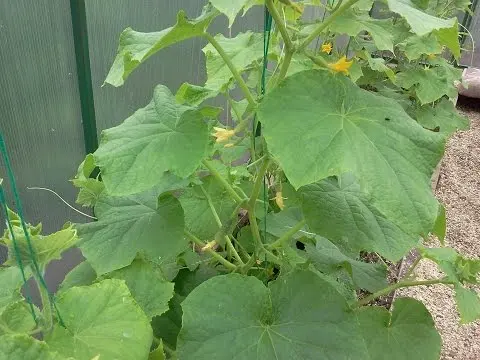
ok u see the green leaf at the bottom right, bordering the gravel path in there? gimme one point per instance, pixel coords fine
(406, 334)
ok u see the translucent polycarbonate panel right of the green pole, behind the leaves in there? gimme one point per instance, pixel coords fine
(171, 67)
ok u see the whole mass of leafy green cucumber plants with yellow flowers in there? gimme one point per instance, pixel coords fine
(246, 241)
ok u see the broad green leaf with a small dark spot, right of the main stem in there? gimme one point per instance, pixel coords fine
(341, 128)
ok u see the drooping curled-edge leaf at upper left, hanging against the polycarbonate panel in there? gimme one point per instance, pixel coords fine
(136, 47)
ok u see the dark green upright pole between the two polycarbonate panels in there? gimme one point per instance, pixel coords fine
(84, 74)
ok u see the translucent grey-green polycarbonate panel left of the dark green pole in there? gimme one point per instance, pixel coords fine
(39, 108)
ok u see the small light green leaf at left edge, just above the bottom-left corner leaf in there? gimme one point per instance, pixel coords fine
(17, 318)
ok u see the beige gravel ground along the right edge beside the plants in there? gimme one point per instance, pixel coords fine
(459, 189)
